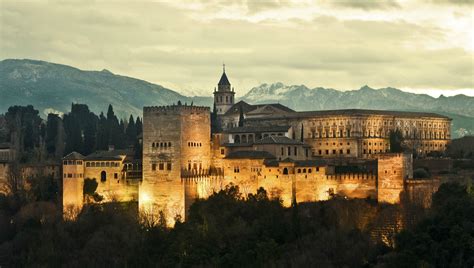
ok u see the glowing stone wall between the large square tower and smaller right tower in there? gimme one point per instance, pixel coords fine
(304, 184)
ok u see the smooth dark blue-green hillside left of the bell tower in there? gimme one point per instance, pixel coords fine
(53, 87)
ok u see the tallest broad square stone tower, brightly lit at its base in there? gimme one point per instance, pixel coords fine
(176, 145)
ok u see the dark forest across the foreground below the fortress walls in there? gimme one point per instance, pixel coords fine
(232, 231)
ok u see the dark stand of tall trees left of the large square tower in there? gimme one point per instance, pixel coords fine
(80, 130)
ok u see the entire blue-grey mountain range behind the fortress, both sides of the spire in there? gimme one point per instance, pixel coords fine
(51, 87)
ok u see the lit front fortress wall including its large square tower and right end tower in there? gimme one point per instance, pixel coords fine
(187, 129)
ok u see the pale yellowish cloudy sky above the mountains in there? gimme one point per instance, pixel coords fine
(421, 46)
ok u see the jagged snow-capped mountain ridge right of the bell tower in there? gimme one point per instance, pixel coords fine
(300, 97)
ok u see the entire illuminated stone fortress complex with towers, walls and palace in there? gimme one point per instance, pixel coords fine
(189, 152)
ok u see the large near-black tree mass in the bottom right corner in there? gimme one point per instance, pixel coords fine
(444, 239)
